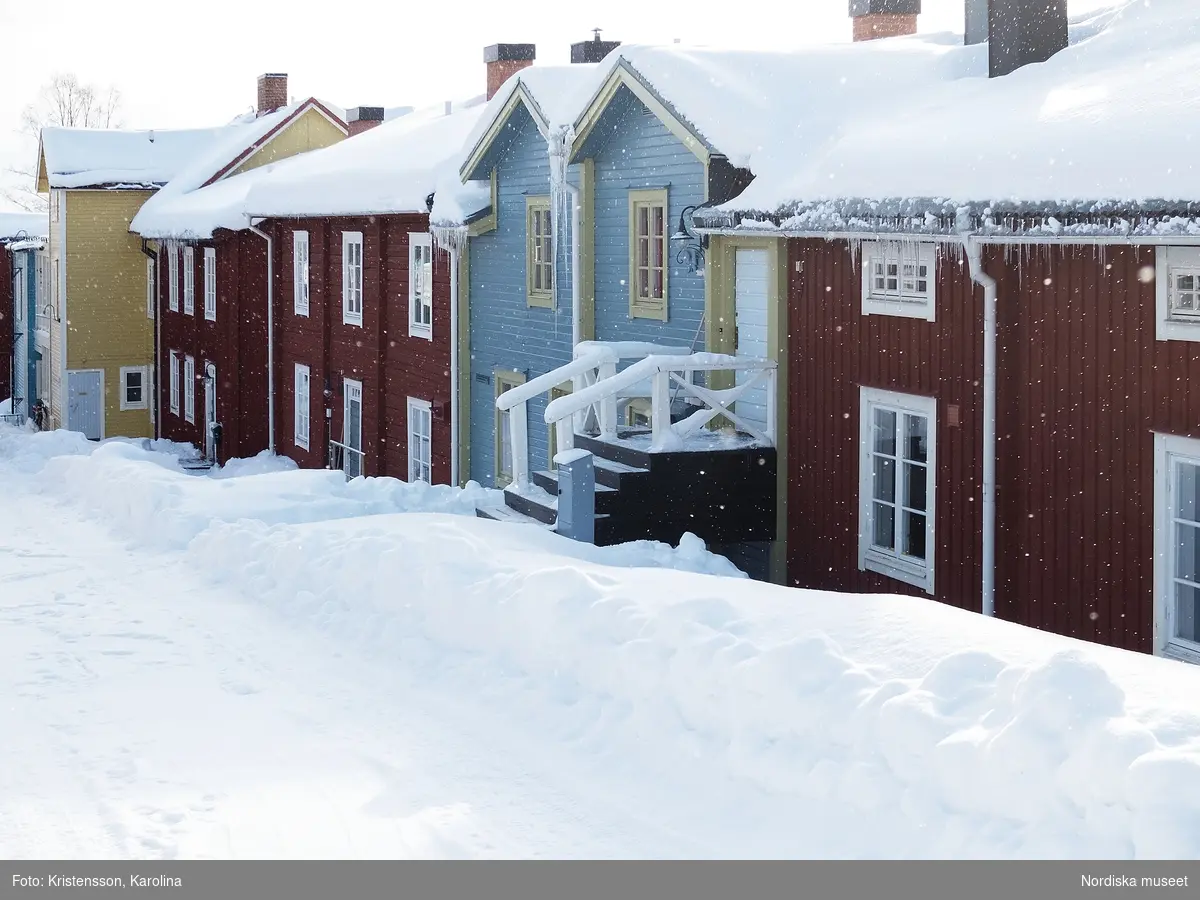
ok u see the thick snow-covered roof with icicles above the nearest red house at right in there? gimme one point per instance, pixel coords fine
(1106, 128)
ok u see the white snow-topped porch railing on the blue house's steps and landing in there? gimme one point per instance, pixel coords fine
(599, 392)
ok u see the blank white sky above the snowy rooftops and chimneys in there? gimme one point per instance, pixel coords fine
(197, 65)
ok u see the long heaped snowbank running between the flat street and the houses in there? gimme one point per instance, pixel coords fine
(891, 727)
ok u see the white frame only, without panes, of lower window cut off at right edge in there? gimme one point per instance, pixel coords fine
(1169, 452)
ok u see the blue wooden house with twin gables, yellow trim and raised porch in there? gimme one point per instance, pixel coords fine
(593, 302)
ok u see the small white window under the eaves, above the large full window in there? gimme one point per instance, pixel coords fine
(899, 279)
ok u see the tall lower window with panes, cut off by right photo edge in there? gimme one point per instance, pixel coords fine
(1178, 547)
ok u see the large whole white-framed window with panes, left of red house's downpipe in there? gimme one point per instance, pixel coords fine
(898, 473)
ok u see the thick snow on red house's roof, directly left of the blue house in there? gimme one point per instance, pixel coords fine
(391, 169)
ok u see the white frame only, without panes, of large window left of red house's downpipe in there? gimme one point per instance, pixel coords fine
(896, 565)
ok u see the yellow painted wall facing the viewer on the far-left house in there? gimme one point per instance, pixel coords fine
(106, 298)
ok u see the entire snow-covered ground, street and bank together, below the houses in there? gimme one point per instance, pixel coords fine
(274, 663)
